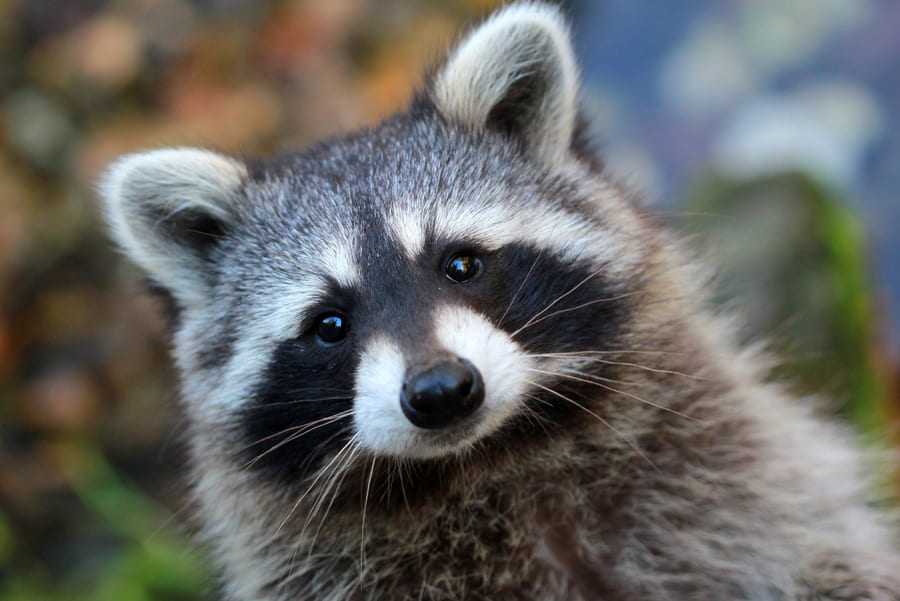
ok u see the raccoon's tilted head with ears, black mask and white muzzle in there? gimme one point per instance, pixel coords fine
(410, 291)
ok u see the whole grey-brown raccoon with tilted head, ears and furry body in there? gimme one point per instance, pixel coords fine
(450, 358)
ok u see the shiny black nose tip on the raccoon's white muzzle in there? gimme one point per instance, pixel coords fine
(437, 395)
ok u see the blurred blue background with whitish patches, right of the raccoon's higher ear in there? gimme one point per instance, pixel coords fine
(750, 89)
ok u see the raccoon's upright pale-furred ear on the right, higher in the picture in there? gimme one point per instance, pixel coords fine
(515, 73)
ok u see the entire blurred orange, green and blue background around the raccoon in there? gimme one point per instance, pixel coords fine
(767, 130)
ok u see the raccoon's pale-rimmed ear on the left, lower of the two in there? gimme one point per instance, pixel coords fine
(167, 208)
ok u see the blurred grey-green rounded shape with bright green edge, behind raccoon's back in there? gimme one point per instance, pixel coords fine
(793, 259)
